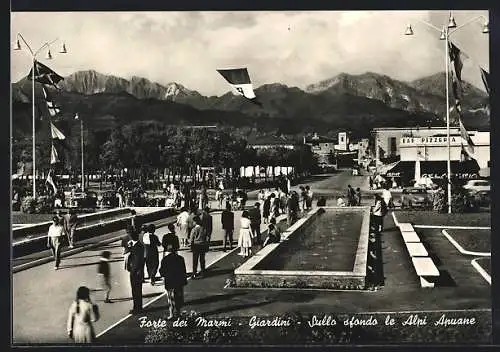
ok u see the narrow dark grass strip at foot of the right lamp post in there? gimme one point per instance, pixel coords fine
(434, 218)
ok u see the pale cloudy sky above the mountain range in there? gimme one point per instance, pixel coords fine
(292, 48)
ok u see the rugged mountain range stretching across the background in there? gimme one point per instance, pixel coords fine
(354, 102)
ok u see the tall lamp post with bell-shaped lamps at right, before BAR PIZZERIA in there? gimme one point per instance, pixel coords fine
(446, 31)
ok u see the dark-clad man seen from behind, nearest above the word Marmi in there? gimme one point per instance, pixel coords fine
(173, 271)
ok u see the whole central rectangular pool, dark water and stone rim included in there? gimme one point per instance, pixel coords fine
(326, 249)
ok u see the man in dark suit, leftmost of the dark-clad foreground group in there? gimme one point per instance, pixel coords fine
(135, 266)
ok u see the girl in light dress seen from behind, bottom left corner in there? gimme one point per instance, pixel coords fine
(82, 314)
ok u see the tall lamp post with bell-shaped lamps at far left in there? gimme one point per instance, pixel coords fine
(33, 55)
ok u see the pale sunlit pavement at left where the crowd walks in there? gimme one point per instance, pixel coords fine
(42, 296)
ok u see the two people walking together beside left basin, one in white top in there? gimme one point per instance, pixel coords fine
(61, 230)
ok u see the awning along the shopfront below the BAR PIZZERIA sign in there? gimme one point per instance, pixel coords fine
(435, 169)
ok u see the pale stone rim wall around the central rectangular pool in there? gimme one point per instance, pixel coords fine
(247, 276)
